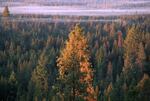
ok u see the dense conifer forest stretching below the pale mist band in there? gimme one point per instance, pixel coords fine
(75, 60)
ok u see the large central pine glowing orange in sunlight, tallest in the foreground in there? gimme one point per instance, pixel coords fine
(75, 72)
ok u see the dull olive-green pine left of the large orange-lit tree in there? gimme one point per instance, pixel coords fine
(40, 79)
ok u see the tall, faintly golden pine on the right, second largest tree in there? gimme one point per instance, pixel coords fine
(133, 59)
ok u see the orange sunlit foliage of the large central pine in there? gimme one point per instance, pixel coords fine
(75, 56)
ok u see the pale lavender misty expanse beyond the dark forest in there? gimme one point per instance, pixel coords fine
(86, 7)
